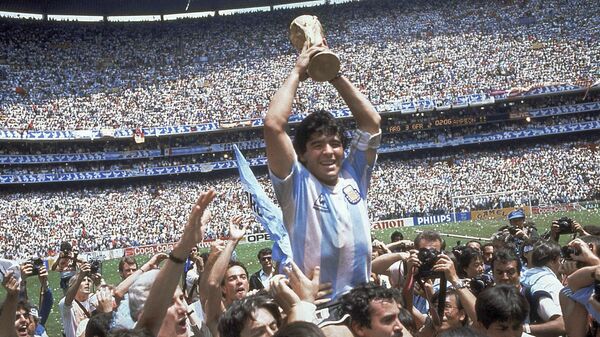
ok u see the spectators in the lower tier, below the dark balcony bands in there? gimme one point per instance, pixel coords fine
(102, 218)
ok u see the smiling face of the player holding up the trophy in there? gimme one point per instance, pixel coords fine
(323, 157)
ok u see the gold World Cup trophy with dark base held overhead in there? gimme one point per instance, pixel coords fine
(323, 66)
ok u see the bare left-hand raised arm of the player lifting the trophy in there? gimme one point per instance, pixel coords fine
(280, 150)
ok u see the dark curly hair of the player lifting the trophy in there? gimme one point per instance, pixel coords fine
(320, 122)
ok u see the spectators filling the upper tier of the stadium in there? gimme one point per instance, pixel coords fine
(82, 76)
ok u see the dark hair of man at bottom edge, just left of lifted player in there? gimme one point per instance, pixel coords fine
(233, 320)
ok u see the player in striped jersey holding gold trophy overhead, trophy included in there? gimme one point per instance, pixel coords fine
(321, 192)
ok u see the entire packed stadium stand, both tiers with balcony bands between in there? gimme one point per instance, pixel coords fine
(109, 130)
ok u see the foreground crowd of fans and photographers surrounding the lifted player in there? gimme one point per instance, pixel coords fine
(520, 284)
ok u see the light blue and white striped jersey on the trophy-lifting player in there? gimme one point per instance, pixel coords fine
(329, 226)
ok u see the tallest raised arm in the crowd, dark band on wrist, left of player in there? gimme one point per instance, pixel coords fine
(165, 285)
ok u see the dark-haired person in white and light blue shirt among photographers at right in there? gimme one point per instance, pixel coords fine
(542, 287)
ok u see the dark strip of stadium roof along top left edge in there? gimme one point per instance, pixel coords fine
(130, 7)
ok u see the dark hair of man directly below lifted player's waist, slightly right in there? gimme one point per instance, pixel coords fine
(356, 302)
